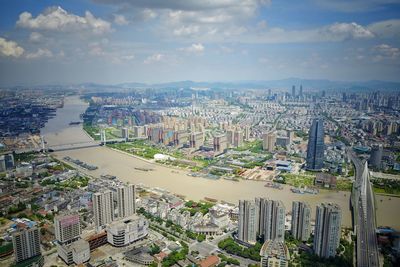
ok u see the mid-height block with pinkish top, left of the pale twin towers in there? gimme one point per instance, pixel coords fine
(67, 228)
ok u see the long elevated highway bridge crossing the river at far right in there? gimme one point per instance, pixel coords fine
(364, 215)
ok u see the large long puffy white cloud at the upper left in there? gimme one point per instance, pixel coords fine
(57, 19)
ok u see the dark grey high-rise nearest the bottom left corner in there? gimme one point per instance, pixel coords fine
(26, 242)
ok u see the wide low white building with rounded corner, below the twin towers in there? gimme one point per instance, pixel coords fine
(124, 232)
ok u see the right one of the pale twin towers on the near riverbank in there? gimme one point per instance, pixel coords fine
(126, 198)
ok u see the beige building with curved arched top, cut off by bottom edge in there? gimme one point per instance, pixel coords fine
(274, 253)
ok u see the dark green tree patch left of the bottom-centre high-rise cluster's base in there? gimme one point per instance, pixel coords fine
(230, 246)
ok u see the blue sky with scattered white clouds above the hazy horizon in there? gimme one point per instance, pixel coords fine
(152, 41)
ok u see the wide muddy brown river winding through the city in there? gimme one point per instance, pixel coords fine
(108, 161)
